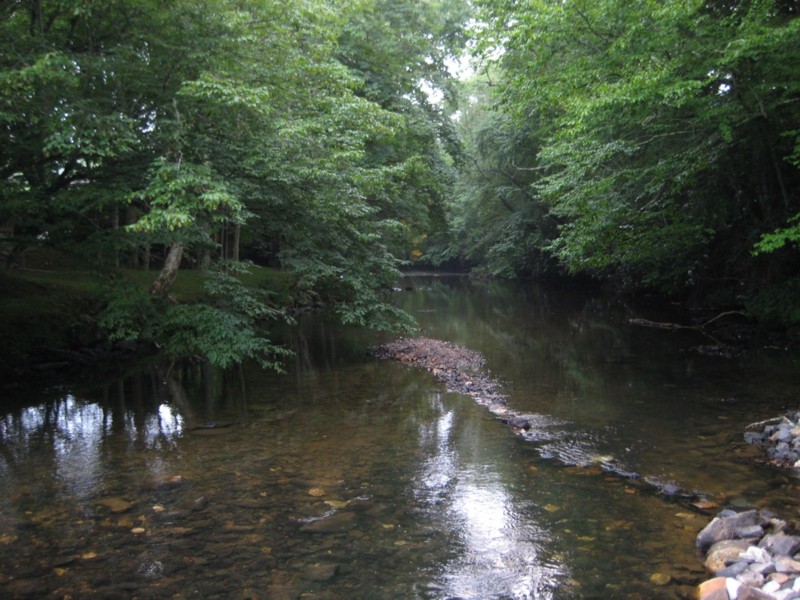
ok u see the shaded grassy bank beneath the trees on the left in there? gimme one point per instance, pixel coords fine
(46, 312)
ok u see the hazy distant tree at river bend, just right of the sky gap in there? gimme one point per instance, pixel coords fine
(499, 222)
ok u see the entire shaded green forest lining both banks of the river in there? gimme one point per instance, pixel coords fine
(652, 146)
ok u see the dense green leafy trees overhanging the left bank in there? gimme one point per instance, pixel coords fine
(141, 132)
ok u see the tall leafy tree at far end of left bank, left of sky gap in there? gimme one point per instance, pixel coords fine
(398, 51)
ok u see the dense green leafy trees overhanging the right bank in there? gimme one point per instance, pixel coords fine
(660, 137)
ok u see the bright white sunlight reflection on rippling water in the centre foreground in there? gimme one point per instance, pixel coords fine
(499, 552)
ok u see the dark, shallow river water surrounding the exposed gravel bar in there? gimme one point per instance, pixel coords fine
(352, 478)
